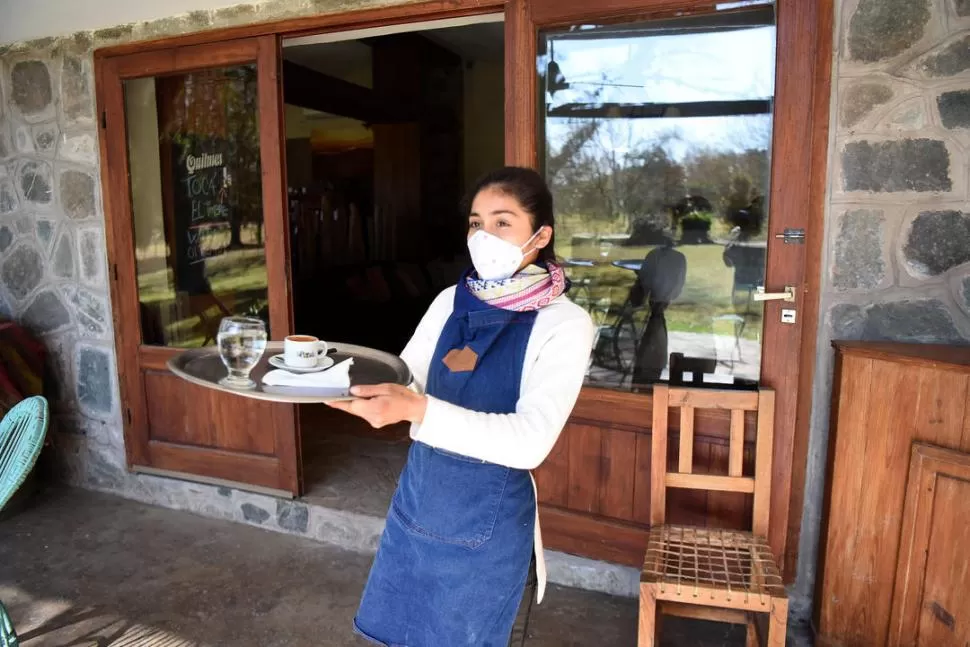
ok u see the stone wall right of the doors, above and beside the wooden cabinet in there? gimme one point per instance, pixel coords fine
(897, 254)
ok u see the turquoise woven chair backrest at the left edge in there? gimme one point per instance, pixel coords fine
(22, 433)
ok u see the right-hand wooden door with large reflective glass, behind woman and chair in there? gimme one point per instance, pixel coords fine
(681, 141)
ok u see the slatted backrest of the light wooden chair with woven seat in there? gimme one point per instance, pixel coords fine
(687, 400)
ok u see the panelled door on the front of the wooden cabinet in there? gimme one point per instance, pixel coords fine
(930, 604)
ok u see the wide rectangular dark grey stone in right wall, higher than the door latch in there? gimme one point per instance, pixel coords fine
(902, 165)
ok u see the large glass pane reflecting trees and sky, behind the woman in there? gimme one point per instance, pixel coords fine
(655, 138)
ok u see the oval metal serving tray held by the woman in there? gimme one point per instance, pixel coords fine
(204, 367)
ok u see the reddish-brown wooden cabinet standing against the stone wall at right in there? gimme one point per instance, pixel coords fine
(885, 397)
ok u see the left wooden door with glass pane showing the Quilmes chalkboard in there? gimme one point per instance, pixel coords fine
(192, 170)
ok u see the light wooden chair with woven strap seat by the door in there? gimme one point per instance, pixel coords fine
(708, 573)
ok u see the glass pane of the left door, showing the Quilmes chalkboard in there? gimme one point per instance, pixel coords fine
(196, 200)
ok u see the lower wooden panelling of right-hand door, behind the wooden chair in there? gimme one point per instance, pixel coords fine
(594, 489)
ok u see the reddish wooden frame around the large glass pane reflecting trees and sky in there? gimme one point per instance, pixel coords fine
(800, 123)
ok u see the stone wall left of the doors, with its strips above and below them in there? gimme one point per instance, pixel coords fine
(54, 274)
